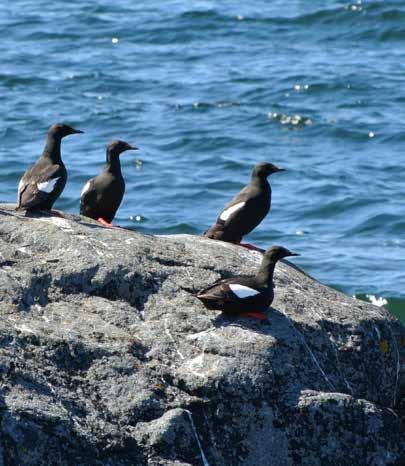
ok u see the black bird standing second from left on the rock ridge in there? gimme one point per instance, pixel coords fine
(102, 195)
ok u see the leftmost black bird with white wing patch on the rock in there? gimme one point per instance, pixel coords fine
(44, 182)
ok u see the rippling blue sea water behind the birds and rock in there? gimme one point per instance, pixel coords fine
(208, 88)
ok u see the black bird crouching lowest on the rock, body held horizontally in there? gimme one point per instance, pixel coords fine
(245, 295)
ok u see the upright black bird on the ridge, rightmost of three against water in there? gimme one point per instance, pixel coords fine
(247, 209)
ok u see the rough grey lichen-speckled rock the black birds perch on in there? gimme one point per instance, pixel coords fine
(106, 357)
